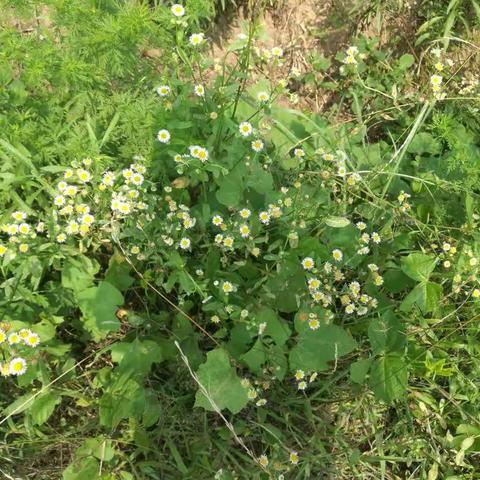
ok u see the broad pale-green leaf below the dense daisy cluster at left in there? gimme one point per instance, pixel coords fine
(99, 305)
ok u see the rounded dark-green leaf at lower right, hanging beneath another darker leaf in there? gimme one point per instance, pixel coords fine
(388, 377)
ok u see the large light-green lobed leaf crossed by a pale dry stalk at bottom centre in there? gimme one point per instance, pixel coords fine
(221, 382)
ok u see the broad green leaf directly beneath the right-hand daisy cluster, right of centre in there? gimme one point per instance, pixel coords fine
(315, 349)
